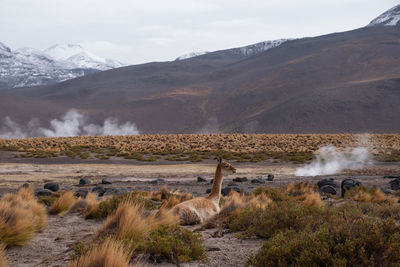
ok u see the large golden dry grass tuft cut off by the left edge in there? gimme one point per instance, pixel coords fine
(20, 217)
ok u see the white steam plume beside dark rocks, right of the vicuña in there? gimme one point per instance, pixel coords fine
(330, 160)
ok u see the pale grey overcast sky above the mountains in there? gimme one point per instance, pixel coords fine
(157, 30)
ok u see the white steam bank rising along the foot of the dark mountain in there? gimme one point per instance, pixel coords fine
(72, 123)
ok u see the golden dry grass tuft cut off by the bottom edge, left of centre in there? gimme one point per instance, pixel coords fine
(109, 254)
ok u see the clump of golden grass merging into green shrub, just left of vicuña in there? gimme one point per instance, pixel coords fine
(156, 234)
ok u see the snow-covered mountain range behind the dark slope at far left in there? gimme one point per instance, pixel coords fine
(31, 67)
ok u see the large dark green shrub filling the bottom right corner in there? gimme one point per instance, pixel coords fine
(365, 242)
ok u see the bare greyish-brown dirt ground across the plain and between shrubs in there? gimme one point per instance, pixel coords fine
(52, 246)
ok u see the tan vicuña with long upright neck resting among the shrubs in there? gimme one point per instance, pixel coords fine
(199, 209)
